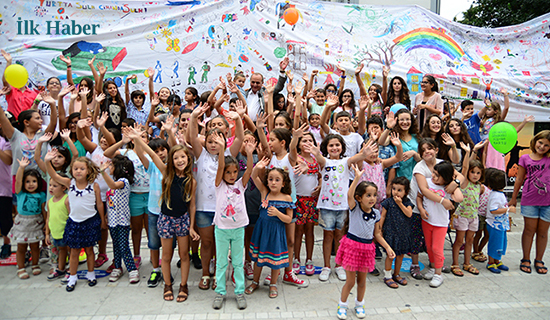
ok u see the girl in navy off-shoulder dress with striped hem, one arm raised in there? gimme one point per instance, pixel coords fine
(268, 246)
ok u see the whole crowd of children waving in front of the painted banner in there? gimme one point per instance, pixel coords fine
(250, 185)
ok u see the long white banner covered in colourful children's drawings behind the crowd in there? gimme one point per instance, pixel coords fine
(192, 43)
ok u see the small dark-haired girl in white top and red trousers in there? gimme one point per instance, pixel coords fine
(435, 218)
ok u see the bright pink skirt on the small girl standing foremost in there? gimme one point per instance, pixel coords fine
(356, 256)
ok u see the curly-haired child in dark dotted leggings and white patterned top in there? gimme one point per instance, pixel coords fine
(118, 214)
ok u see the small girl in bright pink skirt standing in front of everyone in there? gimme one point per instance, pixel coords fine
(356, 252)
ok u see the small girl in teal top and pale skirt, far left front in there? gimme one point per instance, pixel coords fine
(29, 223)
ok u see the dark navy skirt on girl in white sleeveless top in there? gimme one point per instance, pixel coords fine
(82, 234)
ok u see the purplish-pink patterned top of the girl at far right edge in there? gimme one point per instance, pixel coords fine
(537, 181)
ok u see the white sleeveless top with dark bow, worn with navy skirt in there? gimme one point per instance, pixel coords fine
(82, 201)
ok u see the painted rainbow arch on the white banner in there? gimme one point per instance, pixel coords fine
(428, 38)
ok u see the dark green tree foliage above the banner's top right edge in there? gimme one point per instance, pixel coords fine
(501, 13)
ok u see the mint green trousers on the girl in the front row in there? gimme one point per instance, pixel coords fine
(229, 239)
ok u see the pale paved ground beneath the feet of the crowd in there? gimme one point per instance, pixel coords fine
(510, 295)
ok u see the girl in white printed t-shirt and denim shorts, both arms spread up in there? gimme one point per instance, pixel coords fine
(333, 201)
